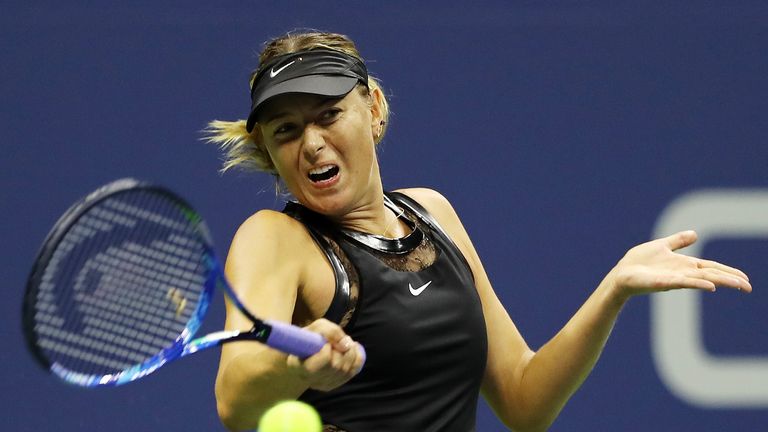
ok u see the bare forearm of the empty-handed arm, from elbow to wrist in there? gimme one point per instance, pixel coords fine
(558, 368)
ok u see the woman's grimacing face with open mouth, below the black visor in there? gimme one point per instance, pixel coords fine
(324, 150)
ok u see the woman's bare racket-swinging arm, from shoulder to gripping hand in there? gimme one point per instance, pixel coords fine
(266, 268)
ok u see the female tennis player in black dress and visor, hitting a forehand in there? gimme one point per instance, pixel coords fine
(392, 271)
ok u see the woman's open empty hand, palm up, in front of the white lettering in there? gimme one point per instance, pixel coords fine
(656, 266)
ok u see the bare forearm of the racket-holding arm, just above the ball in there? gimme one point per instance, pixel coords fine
(250, 383)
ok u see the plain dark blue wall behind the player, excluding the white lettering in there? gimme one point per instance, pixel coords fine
(560, 131)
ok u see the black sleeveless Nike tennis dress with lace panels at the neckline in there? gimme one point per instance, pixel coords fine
(412, 303)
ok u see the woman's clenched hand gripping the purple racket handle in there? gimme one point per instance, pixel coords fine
(336, 363)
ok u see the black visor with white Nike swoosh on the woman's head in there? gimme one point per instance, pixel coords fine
(321, 72)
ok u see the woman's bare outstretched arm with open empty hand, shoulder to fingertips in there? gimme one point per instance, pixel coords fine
(527, 389)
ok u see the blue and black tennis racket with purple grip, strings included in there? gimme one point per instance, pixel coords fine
(122, 284)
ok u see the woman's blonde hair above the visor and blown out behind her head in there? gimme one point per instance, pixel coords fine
(242, 149)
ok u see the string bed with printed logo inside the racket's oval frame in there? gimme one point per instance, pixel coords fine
(121, 285)
